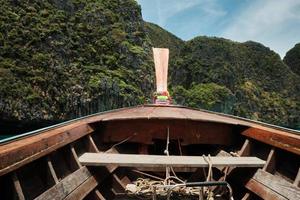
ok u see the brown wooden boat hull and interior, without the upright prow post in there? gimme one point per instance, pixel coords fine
(176, 152)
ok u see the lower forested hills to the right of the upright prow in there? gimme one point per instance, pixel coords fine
(243, 79)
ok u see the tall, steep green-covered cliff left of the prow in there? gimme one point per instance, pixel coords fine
(63, 59)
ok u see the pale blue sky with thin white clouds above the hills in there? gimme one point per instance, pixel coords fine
(274, 23)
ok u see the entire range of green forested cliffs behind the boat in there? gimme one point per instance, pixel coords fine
(65, 59)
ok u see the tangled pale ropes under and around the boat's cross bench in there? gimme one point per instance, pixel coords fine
(171, 184)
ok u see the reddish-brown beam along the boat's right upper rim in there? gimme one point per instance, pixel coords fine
(287, 141)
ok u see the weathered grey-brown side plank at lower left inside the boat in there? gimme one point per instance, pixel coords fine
(67, 185)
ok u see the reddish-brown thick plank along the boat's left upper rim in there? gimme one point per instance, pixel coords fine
(16, 154)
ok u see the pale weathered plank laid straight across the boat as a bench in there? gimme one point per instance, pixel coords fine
(136, 160)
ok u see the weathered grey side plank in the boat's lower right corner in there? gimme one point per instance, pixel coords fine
(266, 185)
